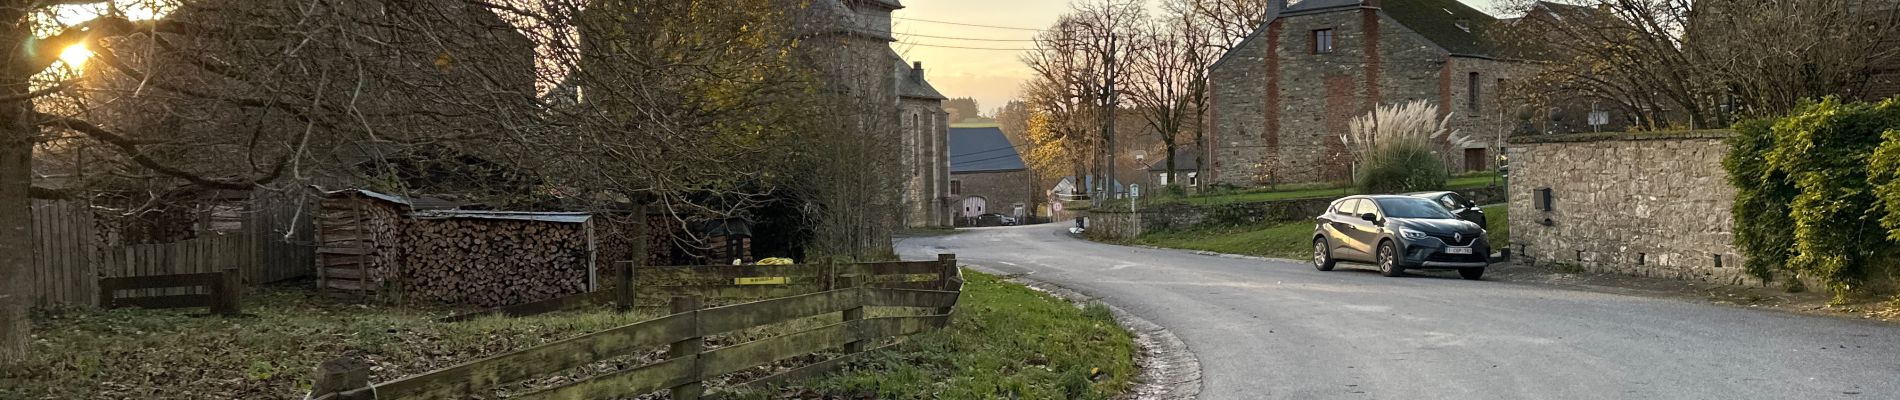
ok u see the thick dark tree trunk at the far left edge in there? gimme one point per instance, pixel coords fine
(16, 181)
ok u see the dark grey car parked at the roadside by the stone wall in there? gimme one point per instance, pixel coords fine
(1397, 234)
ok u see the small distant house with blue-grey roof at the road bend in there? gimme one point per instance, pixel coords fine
(987, 175)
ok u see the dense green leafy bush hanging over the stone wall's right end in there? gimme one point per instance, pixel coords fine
(1808, 191)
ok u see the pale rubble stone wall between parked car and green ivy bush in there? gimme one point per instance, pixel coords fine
(1637, 204)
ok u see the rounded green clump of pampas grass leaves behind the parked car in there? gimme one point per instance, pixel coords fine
(1397, 168)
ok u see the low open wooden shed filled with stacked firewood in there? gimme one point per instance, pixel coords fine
(389, 247)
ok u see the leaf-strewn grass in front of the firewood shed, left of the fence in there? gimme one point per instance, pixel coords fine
(271, 354)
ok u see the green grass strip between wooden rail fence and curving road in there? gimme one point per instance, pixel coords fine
(1006, 342)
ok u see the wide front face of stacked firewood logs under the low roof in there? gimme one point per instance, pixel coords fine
(493, 263)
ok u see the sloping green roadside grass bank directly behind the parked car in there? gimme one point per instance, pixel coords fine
(1291, 240)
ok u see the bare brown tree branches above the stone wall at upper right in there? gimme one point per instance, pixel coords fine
(1703, 64)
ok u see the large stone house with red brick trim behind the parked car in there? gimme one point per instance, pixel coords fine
(1283, 96)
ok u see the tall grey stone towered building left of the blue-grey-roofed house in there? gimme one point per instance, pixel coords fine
(852, 45)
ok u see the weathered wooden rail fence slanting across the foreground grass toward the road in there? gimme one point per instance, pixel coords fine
(689, 363)
